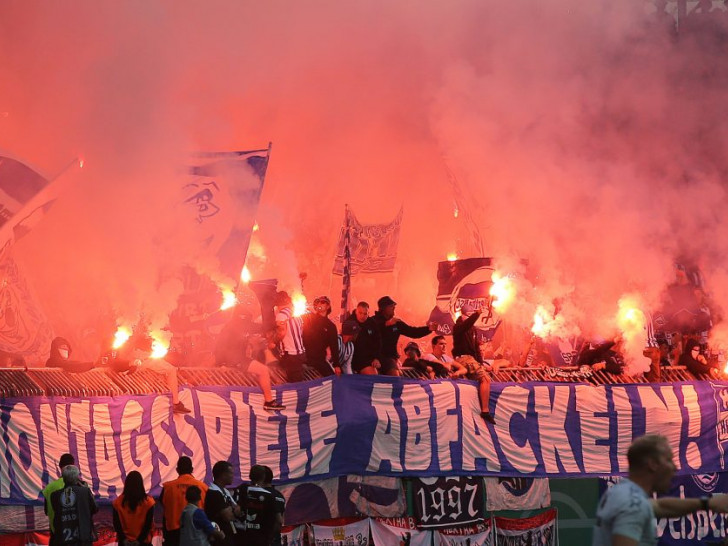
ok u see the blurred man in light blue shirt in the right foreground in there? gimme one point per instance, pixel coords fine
(626, 512)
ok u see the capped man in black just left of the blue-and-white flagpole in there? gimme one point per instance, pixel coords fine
(319, 337)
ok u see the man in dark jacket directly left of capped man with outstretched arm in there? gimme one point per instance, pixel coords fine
(360, 329)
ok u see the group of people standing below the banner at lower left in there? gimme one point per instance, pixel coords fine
(195, 513)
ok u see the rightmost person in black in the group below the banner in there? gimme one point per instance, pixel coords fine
(263, 513)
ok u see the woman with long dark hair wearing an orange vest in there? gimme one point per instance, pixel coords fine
(133, 513)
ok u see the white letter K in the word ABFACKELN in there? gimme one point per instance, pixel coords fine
(552, 428)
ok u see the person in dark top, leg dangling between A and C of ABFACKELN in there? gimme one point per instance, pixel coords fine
(466, 350)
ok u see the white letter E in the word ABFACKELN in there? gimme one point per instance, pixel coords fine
(591, 404)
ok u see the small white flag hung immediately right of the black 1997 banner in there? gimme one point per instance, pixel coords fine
(516, 494)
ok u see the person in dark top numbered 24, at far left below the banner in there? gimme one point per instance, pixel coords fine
(73, 510)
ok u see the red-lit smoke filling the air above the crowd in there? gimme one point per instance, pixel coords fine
(587, 140)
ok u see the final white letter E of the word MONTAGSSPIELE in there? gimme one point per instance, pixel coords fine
(324, 425)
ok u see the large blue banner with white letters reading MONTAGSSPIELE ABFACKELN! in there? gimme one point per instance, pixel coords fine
(361, 425)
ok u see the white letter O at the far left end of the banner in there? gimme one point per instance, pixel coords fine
(26, 481)
